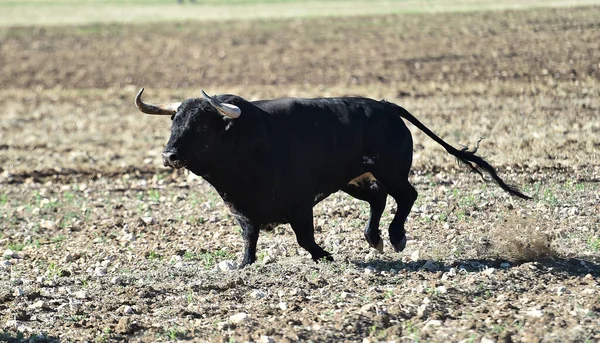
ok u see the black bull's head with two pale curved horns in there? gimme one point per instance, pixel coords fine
(197, 124)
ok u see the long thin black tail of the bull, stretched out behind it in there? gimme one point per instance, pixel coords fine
(476, 163)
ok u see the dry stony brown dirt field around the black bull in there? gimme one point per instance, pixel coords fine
(101, 243)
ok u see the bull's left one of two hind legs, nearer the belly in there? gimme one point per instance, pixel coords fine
(370, 190)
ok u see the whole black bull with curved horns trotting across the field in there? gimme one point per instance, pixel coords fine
(272, 160)
